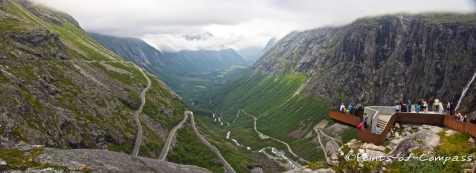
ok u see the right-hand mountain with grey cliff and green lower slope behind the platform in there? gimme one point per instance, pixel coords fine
(373, 61)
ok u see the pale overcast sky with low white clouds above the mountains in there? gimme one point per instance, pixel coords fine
(165, 24)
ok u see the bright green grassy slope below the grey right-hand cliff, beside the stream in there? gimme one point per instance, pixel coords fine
(271, 100)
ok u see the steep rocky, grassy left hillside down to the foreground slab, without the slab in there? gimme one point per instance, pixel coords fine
(60, 88)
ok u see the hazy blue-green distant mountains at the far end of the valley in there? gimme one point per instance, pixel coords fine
(192, 74)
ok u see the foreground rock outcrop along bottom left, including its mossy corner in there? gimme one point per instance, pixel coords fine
(87, 160)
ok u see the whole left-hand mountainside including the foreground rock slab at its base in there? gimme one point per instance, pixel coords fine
(62, 92)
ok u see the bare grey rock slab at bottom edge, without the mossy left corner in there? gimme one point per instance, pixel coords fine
(107, 161)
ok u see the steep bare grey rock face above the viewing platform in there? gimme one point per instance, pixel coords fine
(381, 59)
